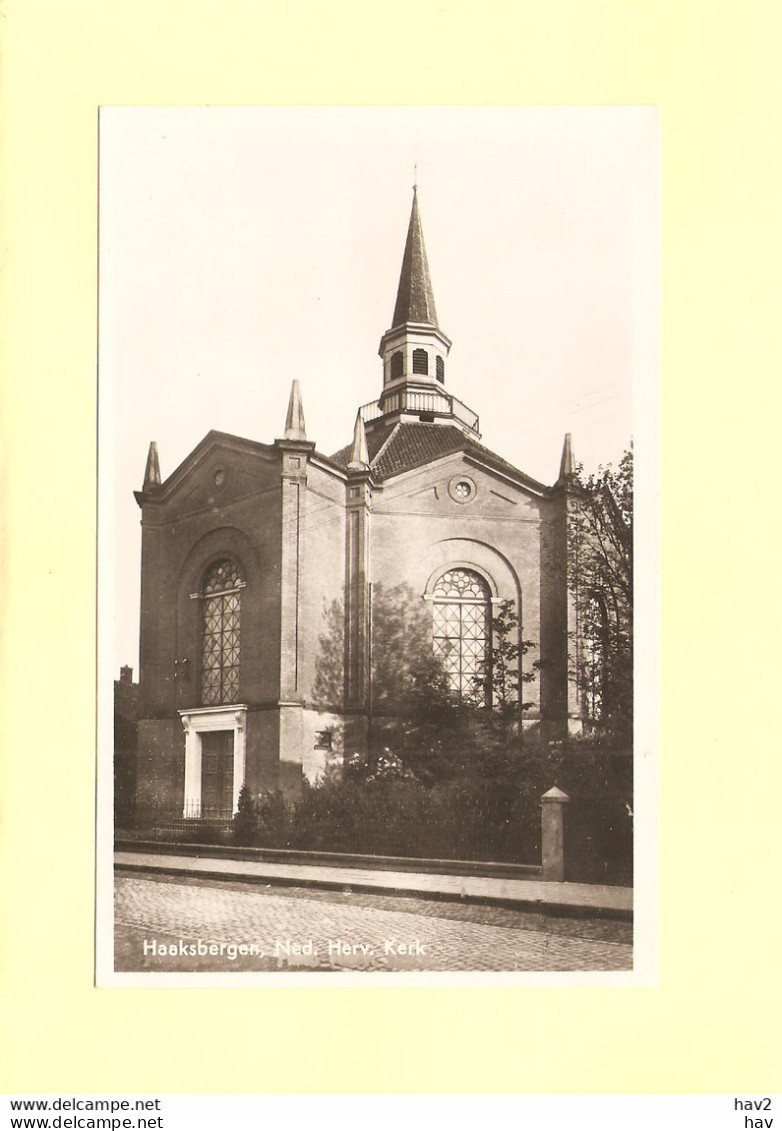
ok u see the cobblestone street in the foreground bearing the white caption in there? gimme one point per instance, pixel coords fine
(306, 930)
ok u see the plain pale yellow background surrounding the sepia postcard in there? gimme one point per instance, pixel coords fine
(712, 1024)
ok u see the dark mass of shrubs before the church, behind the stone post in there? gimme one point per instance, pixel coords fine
(492, 814)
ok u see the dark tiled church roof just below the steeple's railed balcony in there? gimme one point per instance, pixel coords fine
(415, 445)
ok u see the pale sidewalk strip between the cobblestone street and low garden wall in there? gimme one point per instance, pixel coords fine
(544, 896)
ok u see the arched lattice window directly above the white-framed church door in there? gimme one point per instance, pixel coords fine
(220, 640)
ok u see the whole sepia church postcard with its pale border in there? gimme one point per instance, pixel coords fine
(377, 599)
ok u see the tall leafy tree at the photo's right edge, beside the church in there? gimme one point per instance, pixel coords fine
(600, 541)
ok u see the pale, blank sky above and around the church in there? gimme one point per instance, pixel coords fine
(242, 248)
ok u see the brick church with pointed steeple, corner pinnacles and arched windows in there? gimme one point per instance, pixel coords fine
(248, 546)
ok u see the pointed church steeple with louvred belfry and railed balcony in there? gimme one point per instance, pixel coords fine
(415, 350)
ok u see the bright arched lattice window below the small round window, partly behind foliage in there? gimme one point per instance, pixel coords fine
(463, 634)
